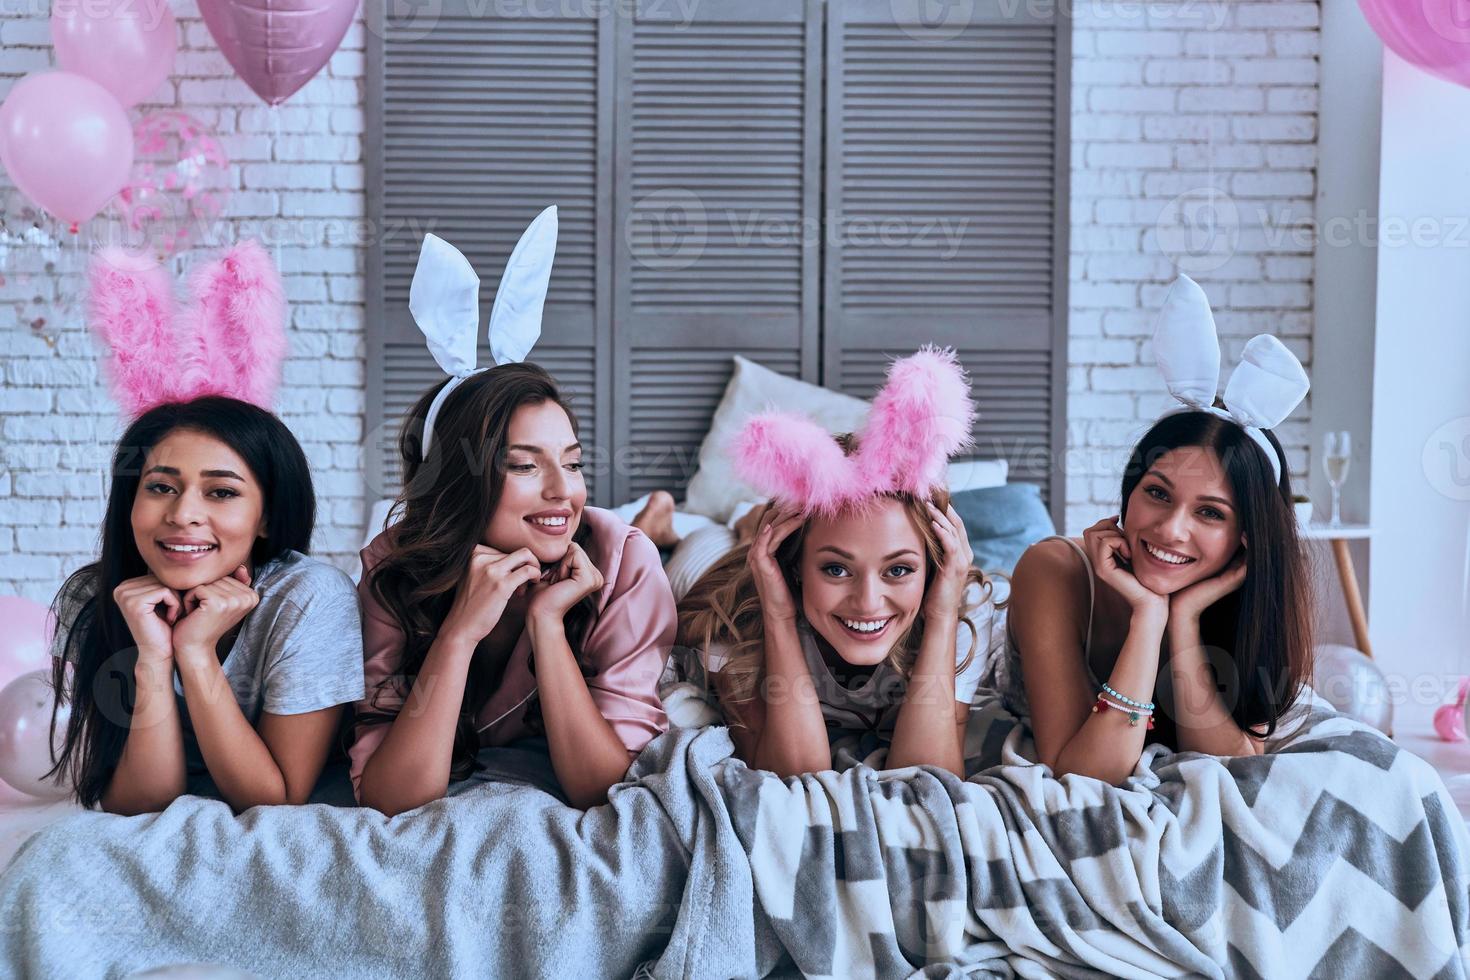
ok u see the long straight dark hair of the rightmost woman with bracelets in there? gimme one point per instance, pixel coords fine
(1265, 627)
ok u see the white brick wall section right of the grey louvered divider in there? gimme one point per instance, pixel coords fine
(1164, 95)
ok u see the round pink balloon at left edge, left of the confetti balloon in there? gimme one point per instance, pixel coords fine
(67, 143)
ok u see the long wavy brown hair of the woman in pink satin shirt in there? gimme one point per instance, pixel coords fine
(448, 502)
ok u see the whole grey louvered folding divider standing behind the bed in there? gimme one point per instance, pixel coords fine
(818, 186)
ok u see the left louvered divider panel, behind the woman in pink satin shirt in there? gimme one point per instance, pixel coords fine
(483, 120)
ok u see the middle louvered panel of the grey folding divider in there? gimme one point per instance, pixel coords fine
(718, 208)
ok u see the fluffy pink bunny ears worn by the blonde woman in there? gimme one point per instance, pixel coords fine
(921, 418)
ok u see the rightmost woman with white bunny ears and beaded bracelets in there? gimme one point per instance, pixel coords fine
(1187, 618)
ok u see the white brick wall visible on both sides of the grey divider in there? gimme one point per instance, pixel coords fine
(1162, 92)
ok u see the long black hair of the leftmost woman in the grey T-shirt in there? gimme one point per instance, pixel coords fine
(99, 682)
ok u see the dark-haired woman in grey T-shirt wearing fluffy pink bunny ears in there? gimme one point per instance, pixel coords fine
(204, 652)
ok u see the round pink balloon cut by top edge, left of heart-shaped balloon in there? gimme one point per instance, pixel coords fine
(127, 48)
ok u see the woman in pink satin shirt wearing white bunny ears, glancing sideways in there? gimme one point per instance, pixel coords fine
(501, 609)
